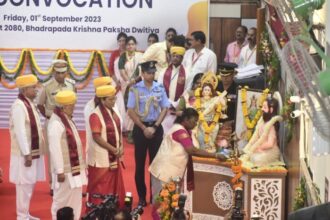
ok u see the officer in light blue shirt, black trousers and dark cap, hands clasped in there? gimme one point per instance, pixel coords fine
(147, 106)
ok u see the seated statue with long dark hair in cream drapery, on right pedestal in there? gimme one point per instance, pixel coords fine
(262, 149)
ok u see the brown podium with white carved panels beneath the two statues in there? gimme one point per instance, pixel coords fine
(213, 197)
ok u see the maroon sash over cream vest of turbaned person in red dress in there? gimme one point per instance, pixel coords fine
(110, 129)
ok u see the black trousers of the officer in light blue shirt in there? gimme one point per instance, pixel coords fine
(142, 145)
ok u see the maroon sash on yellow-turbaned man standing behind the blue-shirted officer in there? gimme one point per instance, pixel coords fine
(180, 85)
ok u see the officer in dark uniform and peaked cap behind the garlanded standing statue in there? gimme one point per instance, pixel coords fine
(226, 71)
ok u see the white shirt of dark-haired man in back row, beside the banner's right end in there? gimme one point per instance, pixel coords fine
(204, 61)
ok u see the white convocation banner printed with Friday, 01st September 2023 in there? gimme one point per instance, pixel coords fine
(94, 24)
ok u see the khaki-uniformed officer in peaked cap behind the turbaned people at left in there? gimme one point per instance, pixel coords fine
(46, 102)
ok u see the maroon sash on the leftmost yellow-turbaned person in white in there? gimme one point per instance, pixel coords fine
(33, 126)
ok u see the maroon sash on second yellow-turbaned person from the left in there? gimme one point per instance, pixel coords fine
(72, 143)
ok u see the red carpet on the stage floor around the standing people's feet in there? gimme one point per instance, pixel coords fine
(41, 201)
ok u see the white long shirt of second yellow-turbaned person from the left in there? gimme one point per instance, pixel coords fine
(55, 131)
